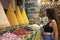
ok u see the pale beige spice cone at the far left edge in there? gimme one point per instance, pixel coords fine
(3, 18)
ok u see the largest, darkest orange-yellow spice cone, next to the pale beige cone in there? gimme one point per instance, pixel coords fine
(11, 16)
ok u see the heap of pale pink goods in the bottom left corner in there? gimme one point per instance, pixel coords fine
(9, 36)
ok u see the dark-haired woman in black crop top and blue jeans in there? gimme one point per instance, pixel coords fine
(51, 26)
